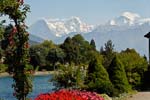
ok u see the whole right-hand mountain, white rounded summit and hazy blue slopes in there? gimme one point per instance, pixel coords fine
(126, 31)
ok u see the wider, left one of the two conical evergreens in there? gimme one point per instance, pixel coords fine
(97, 78)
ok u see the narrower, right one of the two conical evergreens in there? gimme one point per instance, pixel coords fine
(118, 76)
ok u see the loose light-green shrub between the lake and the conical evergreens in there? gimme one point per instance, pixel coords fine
(69, 76)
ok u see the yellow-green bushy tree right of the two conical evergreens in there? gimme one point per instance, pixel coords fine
(134, 65)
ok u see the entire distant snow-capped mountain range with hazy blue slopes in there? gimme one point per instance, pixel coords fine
(126, 31)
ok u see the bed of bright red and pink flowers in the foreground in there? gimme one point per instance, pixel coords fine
(69, 95)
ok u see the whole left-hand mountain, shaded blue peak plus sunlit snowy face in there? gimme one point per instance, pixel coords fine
(54, 28)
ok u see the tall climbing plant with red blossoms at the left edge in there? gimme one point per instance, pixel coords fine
(15, 43)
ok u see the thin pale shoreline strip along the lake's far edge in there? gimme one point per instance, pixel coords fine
(37, 73)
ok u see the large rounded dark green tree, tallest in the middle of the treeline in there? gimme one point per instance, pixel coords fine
(76, 49)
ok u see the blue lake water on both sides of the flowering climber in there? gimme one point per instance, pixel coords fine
(41, 84)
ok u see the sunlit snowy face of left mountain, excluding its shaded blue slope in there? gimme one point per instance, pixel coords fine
(65, 26)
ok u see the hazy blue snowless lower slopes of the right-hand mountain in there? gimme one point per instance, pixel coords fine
(131, 37)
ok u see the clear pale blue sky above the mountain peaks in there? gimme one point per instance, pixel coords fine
(90, 11)
